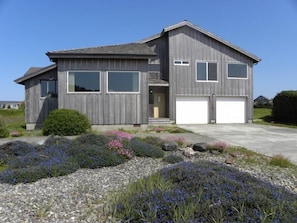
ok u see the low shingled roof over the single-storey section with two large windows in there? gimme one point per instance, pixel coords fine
(131, 50)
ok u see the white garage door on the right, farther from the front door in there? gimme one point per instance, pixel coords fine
(230, 110)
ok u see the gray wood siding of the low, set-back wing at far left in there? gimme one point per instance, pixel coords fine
(37, 108)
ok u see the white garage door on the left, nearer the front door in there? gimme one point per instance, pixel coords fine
(192, 110)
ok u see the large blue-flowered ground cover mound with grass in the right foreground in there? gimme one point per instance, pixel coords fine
(204, 192)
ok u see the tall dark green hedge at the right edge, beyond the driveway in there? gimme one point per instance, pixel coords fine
(285, 107)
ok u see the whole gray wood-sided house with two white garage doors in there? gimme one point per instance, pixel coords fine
(184, 74)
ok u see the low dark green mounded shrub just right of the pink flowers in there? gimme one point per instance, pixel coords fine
(143, 149)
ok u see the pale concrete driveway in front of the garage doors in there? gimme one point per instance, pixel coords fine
(268, 140)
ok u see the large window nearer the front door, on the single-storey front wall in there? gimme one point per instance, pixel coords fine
(119, 81)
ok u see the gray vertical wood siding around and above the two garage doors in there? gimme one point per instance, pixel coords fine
(188, 44)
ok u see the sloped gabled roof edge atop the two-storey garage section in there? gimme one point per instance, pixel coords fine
(186, 23)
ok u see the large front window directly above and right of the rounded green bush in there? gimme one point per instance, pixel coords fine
(84, 81)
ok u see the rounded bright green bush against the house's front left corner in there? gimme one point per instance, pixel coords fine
(66, 122)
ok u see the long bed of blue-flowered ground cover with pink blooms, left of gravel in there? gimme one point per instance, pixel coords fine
(22, 162)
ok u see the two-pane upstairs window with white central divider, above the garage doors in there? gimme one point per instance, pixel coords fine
(207, 71)
